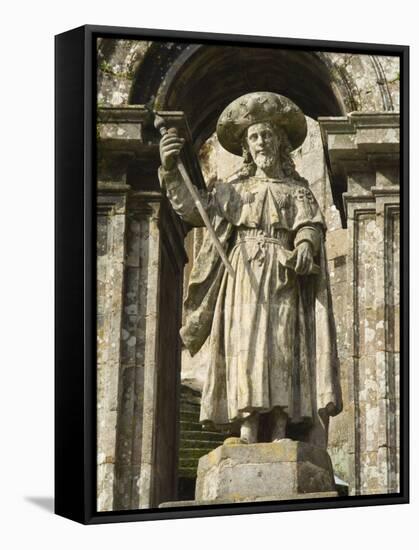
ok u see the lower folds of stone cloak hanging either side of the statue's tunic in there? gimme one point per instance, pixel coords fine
(204, 286)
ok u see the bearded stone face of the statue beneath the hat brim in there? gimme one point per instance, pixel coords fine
(263, 144)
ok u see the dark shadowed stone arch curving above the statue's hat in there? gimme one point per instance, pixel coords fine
(204, 79)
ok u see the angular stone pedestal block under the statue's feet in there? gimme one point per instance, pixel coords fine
(282, 470)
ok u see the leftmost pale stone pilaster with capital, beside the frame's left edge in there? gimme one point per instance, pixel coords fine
(118, 139)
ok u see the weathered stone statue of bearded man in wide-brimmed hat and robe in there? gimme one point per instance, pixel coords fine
(273, 369)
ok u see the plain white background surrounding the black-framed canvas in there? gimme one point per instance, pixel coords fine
(26, 301)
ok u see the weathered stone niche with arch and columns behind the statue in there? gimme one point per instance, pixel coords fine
(149, 439)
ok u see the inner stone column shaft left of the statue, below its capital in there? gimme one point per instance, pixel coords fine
(148, 423)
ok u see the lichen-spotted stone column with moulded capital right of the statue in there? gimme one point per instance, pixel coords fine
(363, 152)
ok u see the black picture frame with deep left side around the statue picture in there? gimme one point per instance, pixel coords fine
(75, 275)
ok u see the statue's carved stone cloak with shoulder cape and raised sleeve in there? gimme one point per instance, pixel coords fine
(315, 329)
